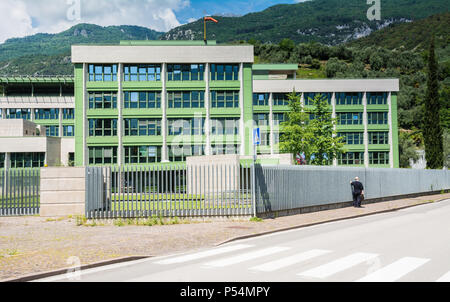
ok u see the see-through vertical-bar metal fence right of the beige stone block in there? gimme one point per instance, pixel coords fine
(169, 191)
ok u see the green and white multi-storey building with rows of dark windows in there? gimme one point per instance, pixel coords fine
(162, 101)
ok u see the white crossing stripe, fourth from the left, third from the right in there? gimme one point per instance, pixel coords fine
(336, 266)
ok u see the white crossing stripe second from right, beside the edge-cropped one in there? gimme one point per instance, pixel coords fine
(395, 270)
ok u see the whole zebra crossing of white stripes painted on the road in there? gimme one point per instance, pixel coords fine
(276, 258)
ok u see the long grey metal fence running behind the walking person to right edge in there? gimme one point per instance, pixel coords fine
(280, 188)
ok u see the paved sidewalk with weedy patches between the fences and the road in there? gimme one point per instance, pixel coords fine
(30, 245)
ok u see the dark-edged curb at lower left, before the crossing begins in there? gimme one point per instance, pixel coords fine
(33, 277)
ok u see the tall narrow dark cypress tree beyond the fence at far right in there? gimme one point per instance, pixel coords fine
(432, 130)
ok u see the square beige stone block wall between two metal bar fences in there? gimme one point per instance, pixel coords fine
(63, 192)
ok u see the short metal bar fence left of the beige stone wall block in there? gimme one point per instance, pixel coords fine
(19, 192)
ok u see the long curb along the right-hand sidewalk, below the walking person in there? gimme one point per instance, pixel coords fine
(322, 222)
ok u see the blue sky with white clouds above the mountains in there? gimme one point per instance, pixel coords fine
(19, 18)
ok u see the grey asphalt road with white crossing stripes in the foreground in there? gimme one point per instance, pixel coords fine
(407, 245)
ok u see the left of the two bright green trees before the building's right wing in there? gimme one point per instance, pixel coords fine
(297, 136)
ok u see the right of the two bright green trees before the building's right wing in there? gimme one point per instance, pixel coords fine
(326, 144)
